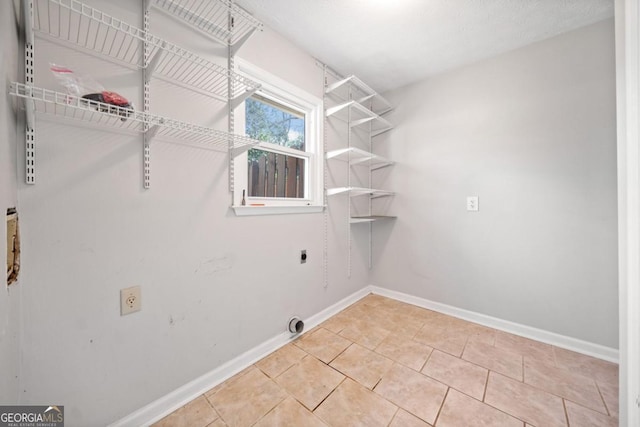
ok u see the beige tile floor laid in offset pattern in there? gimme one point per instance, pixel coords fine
(381, 362)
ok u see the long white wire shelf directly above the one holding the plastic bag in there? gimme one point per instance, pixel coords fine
(82, 26)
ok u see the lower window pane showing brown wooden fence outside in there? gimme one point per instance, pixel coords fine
(276, 175)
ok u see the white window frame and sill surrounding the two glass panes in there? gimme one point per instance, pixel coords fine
(291, 96)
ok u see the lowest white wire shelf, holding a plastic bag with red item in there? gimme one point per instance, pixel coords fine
(71, 107)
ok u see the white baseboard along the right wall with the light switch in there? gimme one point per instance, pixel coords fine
(573, 344)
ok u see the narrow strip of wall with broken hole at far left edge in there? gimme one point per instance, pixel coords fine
(9, 297)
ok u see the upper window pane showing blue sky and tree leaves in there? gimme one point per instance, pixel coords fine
(269, 121)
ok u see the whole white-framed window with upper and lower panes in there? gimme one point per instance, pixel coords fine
(283, 174)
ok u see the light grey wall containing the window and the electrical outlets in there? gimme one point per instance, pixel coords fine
(213, 285)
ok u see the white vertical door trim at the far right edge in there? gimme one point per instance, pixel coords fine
(627, 21)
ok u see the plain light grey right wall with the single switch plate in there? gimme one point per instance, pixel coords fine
(532, 133)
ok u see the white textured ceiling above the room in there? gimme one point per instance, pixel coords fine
(390, 43)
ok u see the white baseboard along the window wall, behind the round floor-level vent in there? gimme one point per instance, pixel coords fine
(162, 407)
